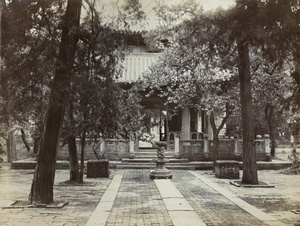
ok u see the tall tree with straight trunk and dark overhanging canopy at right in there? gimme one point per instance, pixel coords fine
(267, 26)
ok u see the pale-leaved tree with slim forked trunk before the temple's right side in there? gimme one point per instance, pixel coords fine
(192, 72)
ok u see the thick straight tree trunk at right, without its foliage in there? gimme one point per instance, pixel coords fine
(247, 11)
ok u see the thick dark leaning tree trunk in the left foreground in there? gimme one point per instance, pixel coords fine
(42, 185)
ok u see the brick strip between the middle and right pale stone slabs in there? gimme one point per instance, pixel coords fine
(212, 207)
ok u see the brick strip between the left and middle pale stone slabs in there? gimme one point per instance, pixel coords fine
(138, 202)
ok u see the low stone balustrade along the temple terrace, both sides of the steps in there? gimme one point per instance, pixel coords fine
(193, 149)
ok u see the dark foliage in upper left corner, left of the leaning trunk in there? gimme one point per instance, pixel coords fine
(27, 42)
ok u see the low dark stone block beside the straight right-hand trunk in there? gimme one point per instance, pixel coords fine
(227, 169)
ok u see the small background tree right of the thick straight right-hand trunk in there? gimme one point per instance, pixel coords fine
(273, 89)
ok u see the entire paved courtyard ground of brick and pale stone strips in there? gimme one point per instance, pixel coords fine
(130, 197)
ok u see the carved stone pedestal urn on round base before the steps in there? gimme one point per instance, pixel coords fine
(161, 172)
